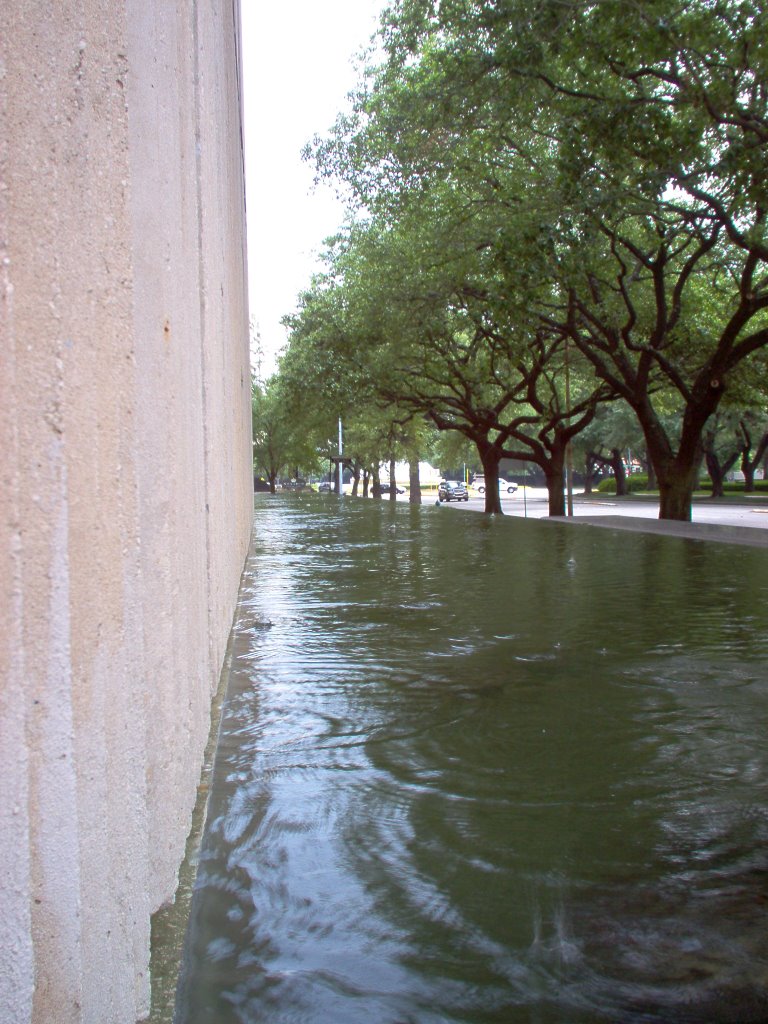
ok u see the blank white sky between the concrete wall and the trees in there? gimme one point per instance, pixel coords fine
(297, 70)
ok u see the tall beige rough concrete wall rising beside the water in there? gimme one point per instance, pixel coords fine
(125, 474)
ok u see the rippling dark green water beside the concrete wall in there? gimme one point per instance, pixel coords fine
(486, 772)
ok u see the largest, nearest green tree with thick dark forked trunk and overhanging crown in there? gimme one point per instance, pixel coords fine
(630, 143)
